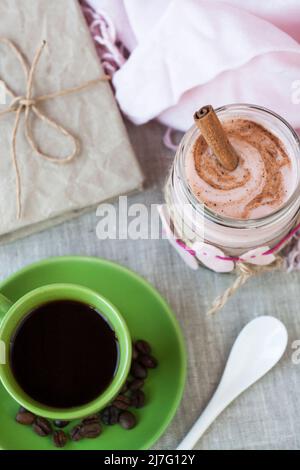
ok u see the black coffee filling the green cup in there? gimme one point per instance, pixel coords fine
(64, 354)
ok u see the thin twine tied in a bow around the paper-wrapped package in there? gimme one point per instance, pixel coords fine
(29, 104)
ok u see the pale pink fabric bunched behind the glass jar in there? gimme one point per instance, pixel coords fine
(185, 54)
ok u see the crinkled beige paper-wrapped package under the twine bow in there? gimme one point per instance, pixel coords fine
(105, 167)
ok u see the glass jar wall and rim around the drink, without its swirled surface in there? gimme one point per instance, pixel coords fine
(194, 222)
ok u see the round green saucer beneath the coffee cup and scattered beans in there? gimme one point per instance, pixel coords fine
(147, 316)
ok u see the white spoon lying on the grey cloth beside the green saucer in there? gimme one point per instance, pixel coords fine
(258, 347)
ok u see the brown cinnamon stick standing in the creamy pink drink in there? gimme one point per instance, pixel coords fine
(212, 131)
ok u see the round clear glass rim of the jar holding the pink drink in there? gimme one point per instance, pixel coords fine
(293, 199)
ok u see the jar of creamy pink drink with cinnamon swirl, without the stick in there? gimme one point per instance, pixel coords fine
(255, 205)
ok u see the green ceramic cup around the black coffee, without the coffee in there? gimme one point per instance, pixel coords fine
(11, 314)
